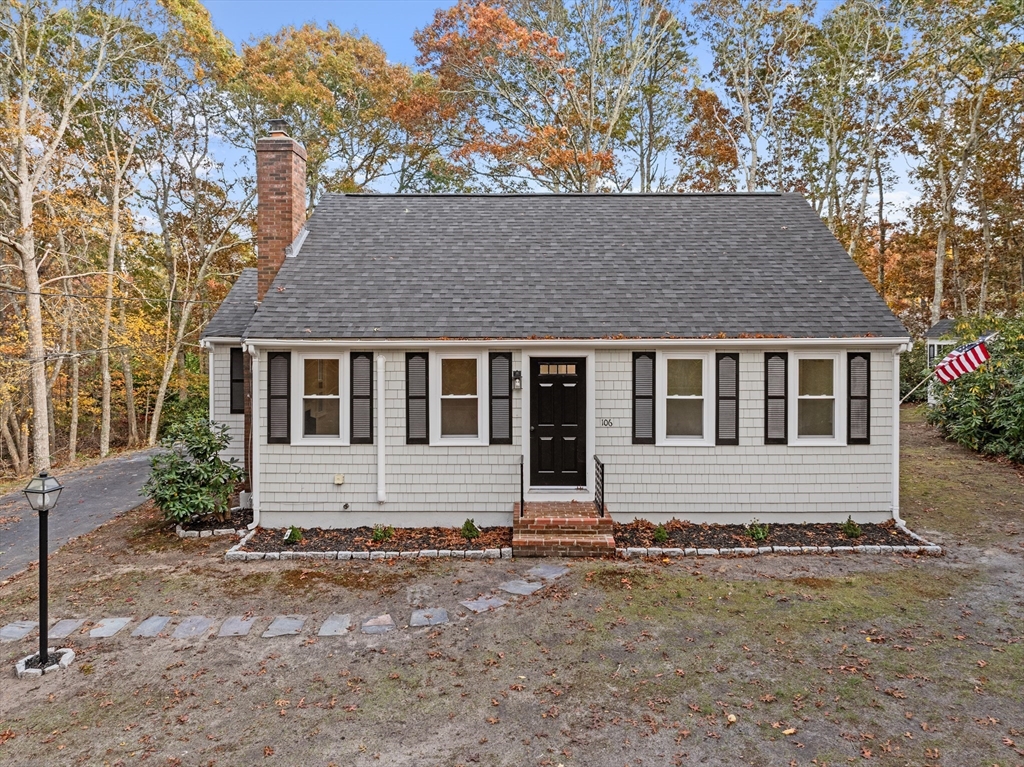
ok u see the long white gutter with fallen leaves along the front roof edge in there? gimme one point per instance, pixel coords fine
(871, 343)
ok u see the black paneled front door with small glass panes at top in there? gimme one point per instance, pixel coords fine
(559, 422)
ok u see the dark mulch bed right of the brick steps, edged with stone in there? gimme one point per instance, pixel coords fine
(641, 534)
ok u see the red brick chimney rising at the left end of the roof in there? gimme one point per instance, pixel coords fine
(281, 209)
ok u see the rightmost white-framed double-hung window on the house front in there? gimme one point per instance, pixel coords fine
(820, 389)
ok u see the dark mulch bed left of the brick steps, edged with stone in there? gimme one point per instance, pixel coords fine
(361, 539)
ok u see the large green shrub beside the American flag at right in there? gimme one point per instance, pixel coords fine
(985, 410)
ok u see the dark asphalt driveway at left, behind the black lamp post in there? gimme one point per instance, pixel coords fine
(92, 497)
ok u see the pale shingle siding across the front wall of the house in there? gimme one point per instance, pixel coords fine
(431, 485)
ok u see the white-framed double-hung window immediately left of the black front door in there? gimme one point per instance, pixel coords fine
(458, 414)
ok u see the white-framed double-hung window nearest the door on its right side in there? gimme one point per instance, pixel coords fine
(687, 415)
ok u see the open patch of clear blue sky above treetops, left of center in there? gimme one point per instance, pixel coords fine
(391, 23)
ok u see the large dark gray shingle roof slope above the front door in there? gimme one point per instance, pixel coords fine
(570, 267)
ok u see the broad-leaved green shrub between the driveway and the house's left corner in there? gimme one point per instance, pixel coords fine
(190, 480)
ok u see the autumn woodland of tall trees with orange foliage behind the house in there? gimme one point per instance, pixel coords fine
(129, 132)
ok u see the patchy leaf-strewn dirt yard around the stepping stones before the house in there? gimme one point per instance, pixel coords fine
(770, 661)
